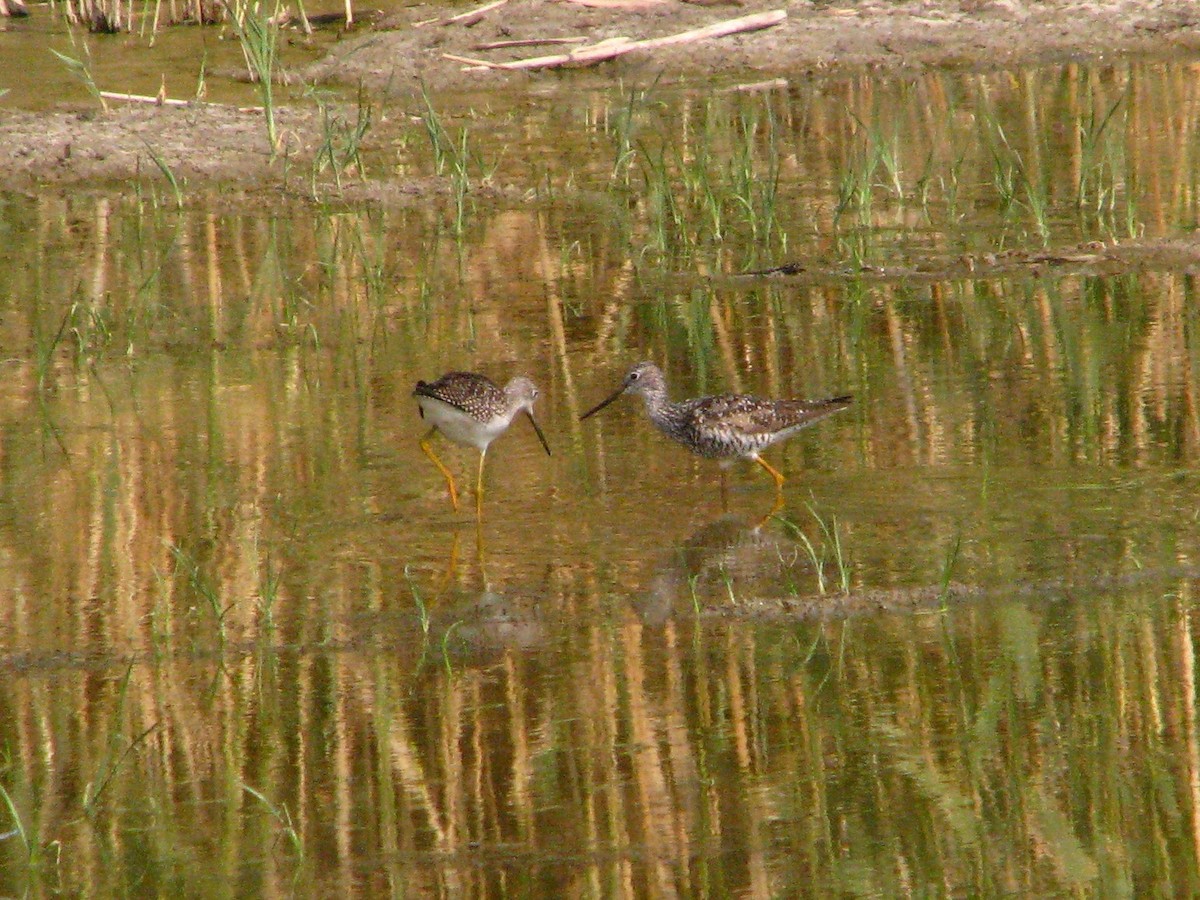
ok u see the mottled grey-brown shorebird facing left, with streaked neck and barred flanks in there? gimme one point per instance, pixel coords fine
(725, 427)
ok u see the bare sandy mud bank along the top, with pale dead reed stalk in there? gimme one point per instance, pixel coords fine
(815, 38)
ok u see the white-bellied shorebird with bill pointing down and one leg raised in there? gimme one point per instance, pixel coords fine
(473, 411)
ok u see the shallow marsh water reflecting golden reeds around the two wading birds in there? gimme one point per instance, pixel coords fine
(250, 649)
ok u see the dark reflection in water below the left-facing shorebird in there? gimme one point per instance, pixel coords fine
(723, 556)
